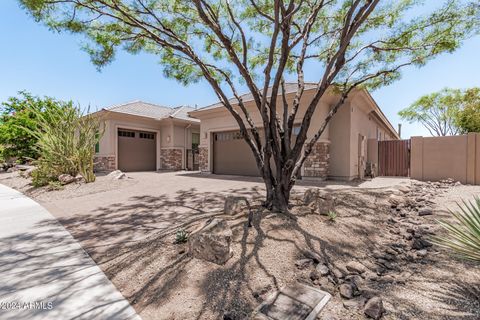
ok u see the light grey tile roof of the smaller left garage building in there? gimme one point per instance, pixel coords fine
(154, 111)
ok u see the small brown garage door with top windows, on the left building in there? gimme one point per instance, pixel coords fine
(137, 150)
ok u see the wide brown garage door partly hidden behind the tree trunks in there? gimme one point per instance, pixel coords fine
(232, 155)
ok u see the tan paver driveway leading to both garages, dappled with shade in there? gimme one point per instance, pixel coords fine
(149, 203)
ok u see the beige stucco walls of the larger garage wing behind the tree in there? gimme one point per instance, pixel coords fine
(342, 132)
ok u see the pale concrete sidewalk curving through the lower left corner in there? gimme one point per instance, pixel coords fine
(44, 273)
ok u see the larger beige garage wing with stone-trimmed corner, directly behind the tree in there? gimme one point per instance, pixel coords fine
(340, 153)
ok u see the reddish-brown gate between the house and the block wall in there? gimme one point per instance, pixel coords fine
(394, 158)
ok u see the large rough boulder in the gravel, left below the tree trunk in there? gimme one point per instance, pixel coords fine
(212, 241)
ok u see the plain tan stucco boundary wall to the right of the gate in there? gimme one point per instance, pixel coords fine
(456, 157)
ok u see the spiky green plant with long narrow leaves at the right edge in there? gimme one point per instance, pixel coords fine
(463, 235)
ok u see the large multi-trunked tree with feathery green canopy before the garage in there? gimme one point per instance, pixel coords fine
(258, 43)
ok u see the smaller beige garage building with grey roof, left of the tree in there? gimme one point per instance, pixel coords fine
(142, 136)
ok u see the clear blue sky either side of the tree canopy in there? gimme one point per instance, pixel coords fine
(35, 59)
